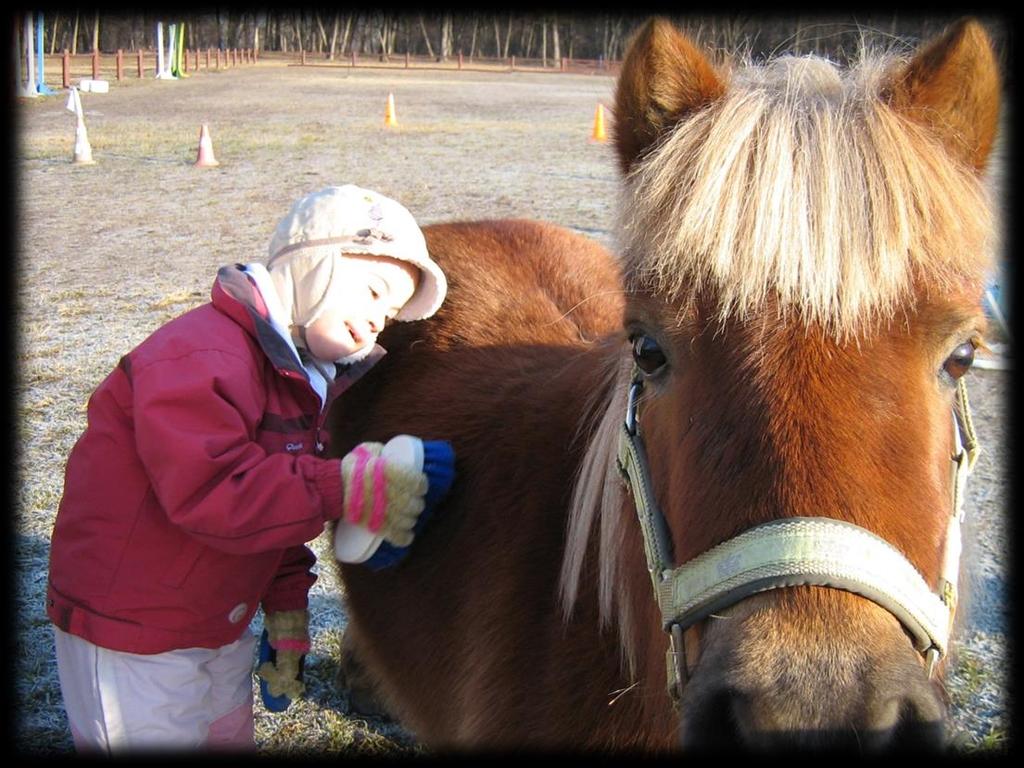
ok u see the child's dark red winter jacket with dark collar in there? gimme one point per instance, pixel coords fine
(190, 496)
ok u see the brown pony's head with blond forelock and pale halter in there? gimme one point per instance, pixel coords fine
(804, 251)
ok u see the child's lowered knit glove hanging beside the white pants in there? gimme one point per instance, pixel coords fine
(284, 646)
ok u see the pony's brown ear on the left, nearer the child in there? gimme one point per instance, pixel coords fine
(663, 79)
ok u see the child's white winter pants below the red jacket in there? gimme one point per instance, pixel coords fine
(183, 700)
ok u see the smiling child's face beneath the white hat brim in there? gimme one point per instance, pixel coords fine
(366, 292)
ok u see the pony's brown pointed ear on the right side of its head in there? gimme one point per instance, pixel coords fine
(953, 87)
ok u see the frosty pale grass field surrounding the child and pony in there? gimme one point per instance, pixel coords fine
(109, 252)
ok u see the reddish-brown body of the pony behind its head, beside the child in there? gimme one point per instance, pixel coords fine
(504, 371)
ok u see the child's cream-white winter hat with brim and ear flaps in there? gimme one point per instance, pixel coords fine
(348, 221)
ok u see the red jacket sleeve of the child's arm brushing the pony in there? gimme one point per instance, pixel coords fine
(196, 420)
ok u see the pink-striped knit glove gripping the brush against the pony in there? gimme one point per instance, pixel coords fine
(383, 497)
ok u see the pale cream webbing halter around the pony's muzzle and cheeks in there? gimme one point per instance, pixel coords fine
(789, 552)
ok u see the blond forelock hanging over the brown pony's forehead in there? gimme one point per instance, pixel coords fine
(803, 184)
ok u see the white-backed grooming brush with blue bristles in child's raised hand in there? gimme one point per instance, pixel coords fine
(437, 460)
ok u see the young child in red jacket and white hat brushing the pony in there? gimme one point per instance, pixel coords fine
(202, 475)
